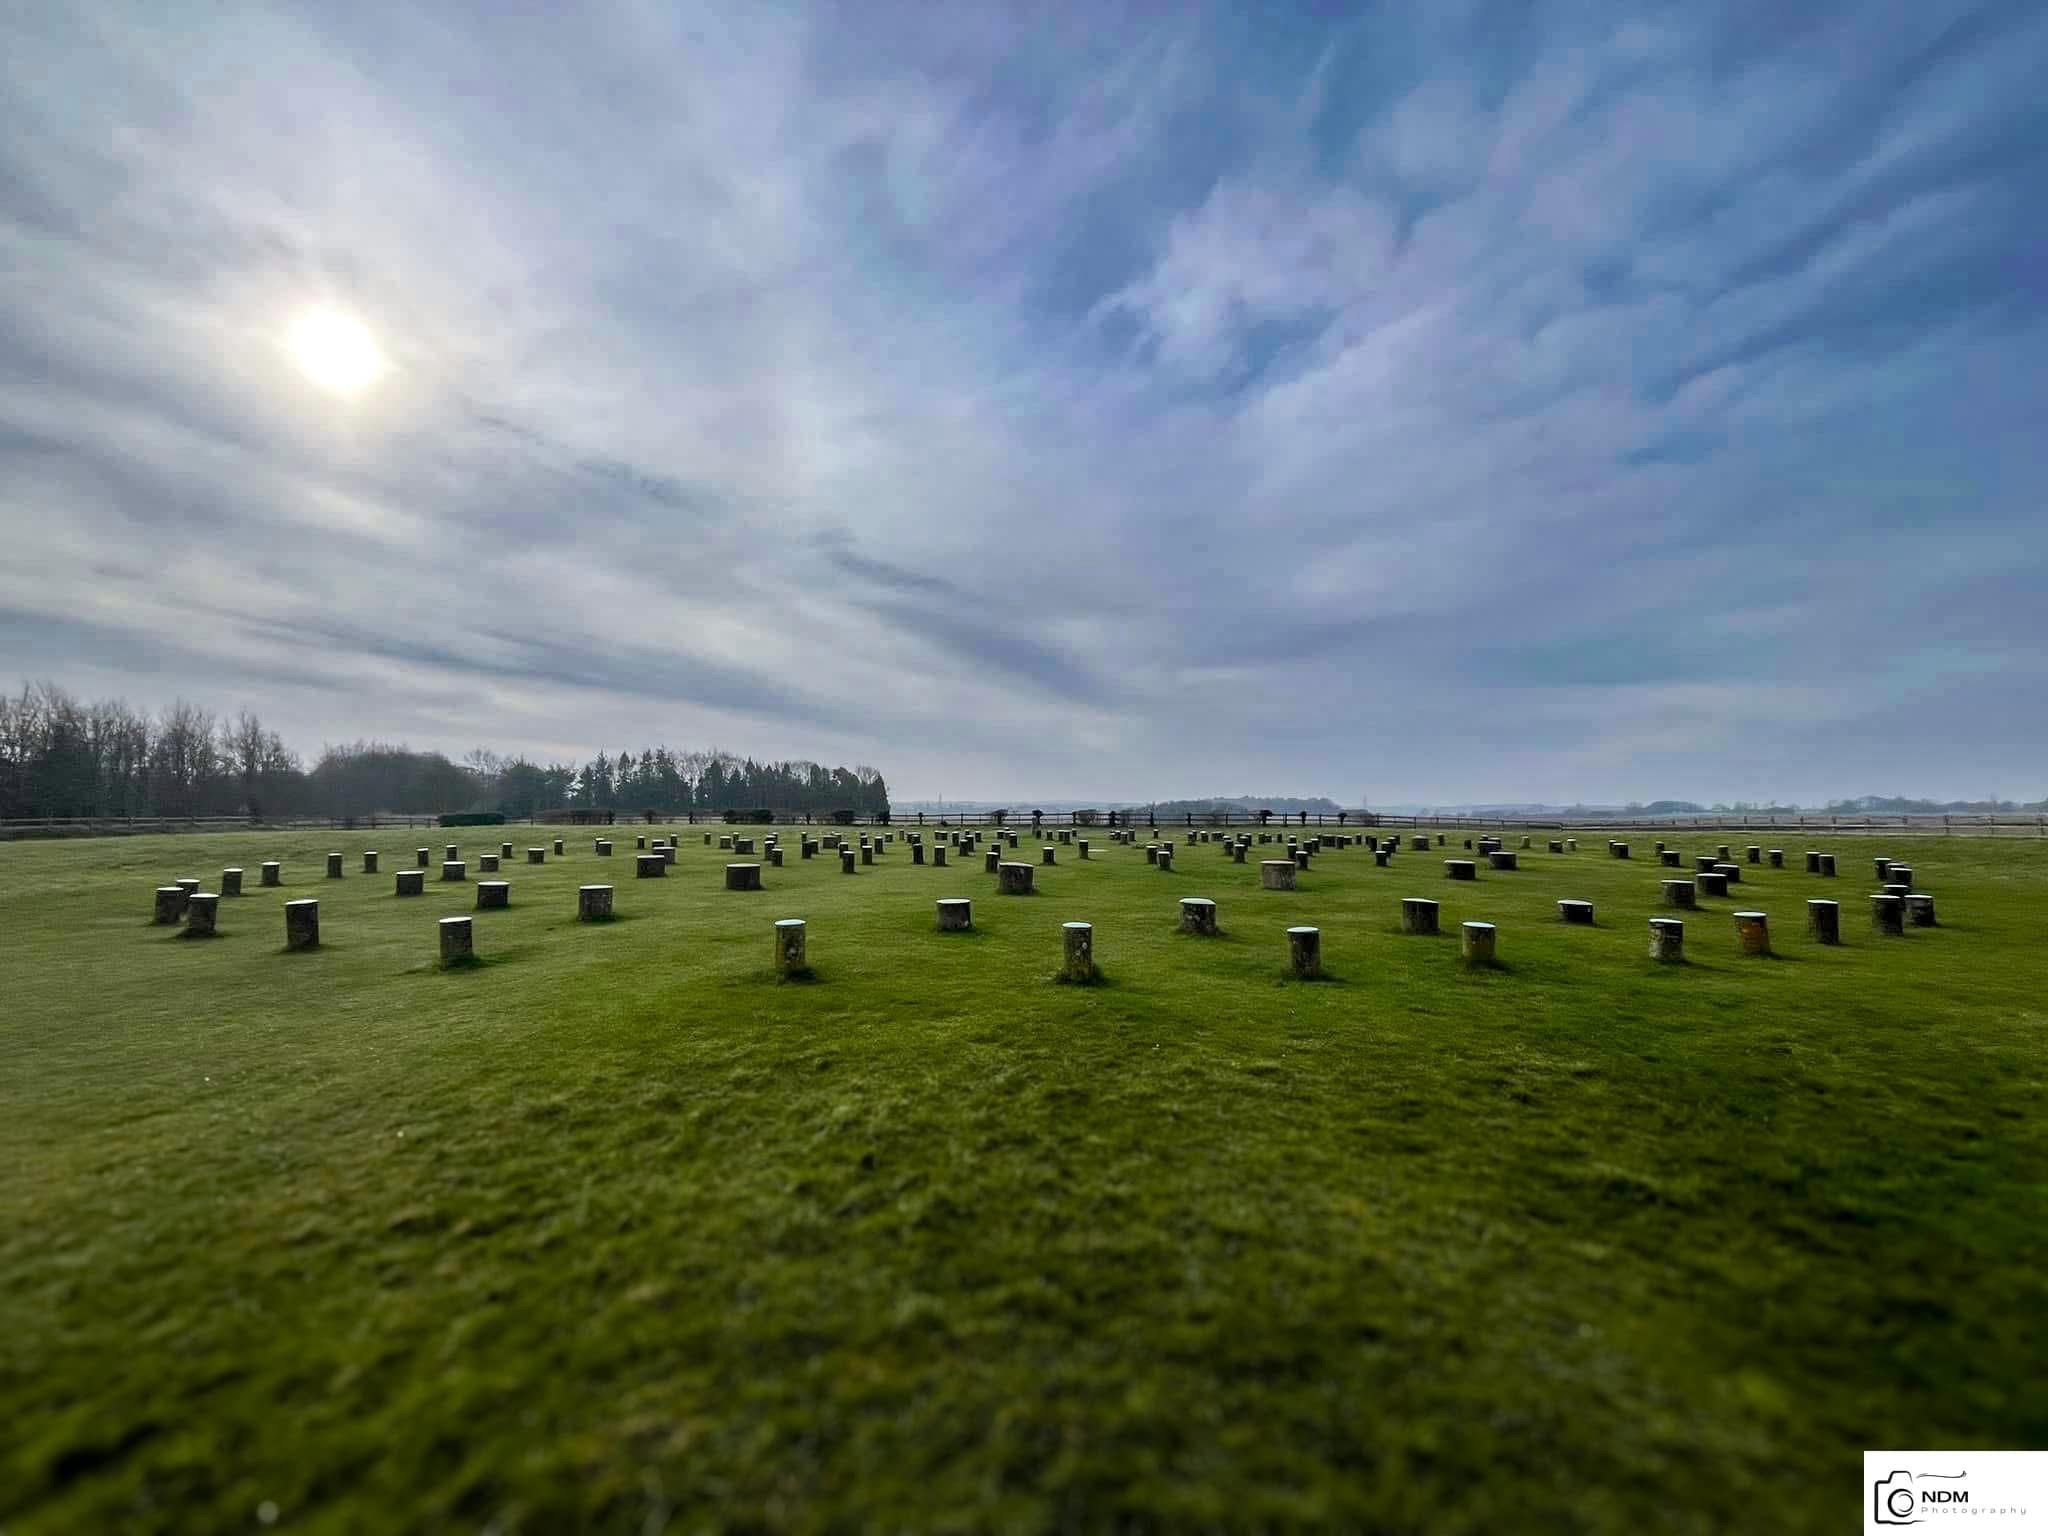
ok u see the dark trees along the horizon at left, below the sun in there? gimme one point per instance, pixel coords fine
(69, 759)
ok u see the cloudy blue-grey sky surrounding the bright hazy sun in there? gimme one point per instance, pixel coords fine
(1453, 402)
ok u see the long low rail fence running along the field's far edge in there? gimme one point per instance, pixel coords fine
(1912, 826)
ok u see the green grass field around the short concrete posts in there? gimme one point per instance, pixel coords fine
(620, 1232)
